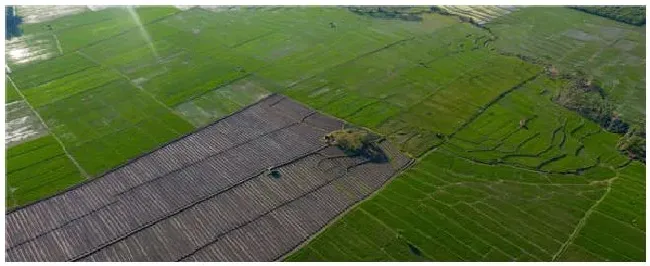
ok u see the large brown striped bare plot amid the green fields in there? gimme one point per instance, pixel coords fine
(204, 194)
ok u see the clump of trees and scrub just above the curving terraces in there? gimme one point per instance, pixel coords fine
(582, 95)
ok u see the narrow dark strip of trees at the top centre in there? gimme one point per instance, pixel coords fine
(393, 12)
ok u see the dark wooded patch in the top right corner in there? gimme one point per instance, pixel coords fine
(634, 15)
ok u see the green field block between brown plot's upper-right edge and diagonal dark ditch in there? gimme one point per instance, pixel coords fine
(418, 91)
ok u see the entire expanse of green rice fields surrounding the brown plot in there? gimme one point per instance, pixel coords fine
(91, 88)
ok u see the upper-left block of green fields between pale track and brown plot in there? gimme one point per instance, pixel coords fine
(112, 94)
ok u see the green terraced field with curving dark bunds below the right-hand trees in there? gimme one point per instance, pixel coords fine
(554, 140)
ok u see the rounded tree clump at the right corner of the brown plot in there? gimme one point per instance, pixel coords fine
(357, 142)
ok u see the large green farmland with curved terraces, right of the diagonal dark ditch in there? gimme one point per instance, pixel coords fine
(491, 193)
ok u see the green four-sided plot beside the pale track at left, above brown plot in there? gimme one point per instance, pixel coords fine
(105, 126)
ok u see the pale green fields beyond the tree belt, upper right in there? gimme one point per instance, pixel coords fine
(613, 52)
